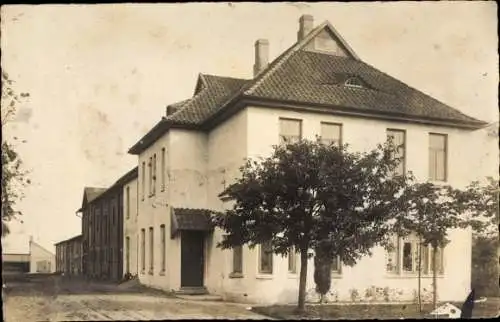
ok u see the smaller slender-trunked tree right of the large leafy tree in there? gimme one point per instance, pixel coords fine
(432, 211)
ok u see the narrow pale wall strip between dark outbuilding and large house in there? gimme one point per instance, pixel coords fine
(130, 223)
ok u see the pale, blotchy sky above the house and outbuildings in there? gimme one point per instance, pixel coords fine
(100, 76)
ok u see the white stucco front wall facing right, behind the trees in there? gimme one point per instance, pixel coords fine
(363, 135)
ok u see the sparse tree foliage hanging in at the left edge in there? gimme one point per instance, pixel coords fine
(13, 176)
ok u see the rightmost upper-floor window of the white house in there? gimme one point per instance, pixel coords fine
(437, 157)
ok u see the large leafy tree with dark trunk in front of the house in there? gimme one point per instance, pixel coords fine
(310, 196)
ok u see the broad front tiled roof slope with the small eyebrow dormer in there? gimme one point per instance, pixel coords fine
(317, 78)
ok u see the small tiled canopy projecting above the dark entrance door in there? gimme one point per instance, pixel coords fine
(189, 219)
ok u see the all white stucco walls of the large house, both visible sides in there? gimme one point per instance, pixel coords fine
(200, 165)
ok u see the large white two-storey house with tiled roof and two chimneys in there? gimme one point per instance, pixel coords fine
(319, 86)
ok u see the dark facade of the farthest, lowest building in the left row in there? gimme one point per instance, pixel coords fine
(69, 256)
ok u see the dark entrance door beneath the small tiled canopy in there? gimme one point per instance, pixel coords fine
(192, 261)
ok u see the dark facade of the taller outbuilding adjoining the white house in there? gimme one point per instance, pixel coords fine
(102, 230)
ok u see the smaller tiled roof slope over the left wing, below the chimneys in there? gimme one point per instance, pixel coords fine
(216, 90)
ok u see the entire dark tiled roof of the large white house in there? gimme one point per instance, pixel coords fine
(314, 80)
